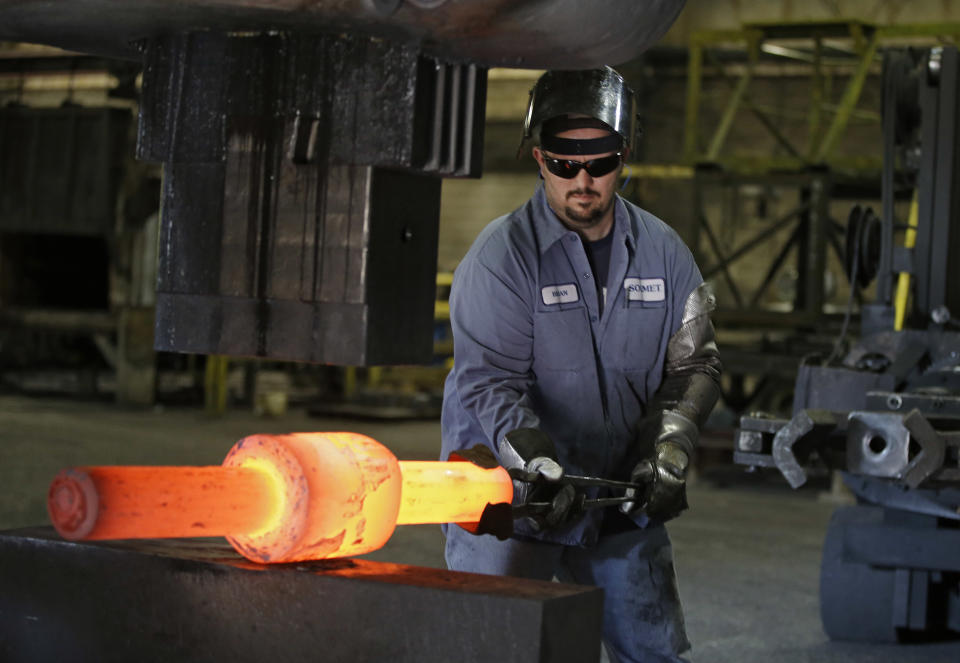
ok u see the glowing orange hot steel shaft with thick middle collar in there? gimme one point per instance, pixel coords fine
(277, 498)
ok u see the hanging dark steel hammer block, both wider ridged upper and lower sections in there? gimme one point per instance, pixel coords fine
(300, 203)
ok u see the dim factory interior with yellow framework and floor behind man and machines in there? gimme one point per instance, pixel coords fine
(762, 130)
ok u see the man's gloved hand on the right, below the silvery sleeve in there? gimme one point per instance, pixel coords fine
(665, 471)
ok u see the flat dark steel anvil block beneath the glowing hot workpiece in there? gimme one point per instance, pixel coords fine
(196, 600)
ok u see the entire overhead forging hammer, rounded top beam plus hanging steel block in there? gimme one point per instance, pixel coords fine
(303, 145)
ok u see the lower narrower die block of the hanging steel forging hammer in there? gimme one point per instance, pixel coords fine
(352, 289)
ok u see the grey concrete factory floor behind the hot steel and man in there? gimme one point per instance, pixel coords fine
(747, 552)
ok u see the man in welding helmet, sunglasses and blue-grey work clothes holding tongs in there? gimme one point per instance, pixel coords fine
(583, 345)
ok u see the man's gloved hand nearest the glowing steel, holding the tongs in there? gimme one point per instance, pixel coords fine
(532, 451)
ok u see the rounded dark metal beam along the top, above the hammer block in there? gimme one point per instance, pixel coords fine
(512, 33)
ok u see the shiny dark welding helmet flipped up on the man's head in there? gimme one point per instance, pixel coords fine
(601, 94)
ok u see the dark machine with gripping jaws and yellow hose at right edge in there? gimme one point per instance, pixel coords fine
(887, 413)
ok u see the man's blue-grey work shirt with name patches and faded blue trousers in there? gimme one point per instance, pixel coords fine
(532, 349)
